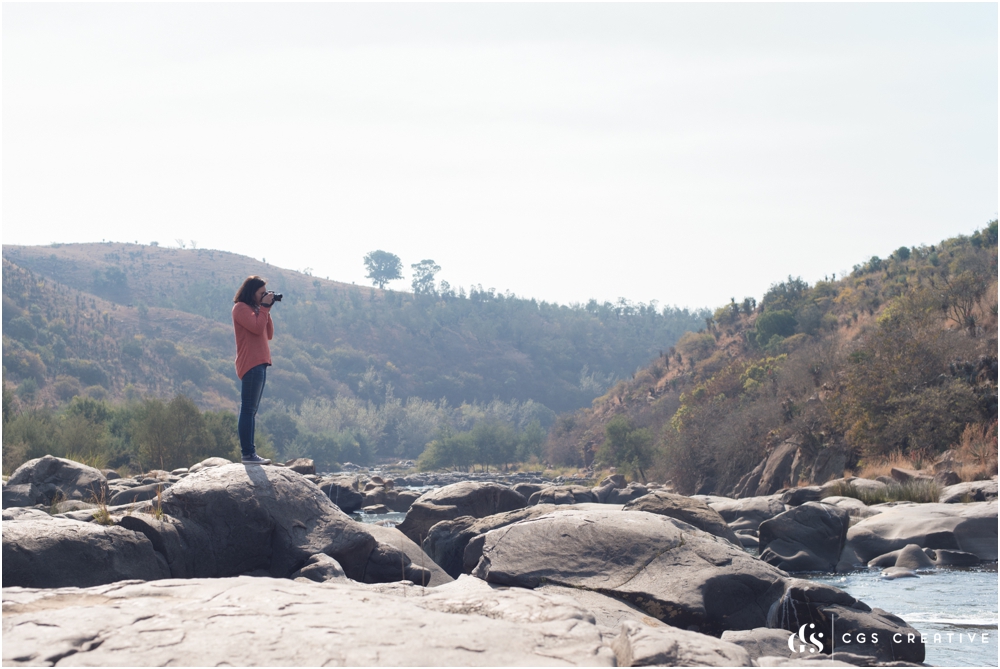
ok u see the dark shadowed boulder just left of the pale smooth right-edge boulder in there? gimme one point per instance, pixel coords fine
(809, 537)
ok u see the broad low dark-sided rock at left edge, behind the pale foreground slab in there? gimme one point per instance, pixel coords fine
(56, 552)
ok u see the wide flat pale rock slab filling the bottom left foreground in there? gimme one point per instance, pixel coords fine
(263, 621)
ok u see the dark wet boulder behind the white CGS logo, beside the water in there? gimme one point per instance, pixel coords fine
(815, 608)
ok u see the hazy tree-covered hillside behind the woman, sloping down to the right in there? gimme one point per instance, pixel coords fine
(121, 320)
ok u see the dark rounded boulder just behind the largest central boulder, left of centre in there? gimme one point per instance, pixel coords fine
(467, 498)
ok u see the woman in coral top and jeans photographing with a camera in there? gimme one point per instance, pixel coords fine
(253, 325)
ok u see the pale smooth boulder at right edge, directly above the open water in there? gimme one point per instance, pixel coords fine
(971, 528)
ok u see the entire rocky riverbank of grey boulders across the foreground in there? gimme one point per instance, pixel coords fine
(247, 565)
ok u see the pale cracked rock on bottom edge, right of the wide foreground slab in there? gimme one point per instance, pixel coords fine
(639, 645)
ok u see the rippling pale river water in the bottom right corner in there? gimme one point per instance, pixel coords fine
(961, 603)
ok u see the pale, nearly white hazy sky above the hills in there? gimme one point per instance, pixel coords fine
(683, 153)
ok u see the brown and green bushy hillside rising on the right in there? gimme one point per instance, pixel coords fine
(898, 358)
